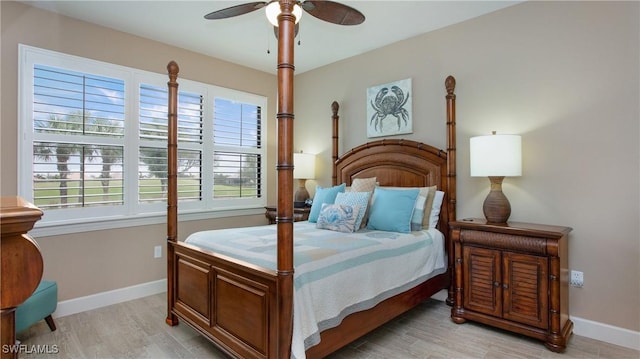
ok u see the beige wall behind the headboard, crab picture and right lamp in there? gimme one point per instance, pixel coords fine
(565, 76)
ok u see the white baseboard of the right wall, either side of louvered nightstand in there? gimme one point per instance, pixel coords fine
(590, 329)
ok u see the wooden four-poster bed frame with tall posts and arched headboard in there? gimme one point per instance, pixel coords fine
(247, 309)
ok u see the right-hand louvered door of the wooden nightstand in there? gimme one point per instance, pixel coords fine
(525, 284)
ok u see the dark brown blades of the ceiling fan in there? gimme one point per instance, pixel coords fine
(329, 11)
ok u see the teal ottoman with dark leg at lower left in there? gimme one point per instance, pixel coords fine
(40, 305)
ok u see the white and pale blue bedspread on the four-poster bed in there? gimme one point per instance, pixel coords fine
(336, 273)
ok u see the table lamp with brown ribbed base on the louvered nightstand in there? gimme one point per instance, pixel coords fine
(496, 156)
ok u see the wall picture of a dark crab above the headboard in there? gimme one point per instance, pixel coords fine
(389, 109)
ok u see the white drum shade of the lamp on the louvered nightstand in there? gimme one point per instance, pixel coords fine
(496, 155)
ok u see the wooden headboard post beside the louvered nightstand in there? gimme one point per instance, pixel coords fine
(450, 85)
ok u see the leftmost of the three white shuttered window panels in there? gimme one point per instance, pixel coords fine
(78, 122)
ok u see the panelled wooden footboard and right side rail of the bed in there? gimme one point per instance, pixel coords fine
(234, 304)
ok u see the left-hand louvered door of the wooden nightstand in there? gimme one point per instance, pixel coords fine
(482, 277)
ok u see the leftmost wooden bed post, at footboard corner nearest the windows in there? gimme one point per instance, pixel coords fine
(172, 185)
